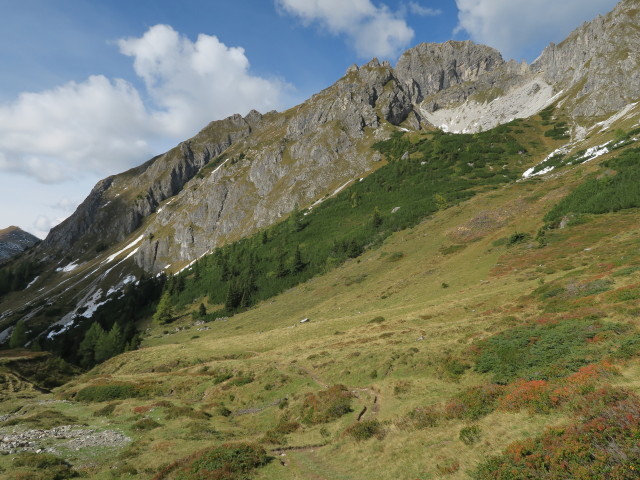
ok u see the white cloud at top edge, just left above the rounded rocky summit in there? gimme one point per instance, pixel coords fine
(372, 31)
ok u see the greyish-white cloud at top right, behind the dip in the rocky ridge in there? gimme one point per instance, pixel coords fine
(521, 27)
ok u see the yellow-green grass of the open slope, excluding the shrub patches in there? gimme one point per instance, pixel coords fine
(489, 290)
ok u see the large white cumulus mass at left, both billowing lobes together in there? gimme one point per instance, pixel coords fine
(103, 125)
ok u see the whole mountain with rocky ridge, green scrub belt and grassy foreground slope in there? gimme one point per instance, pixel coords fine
(429, 270)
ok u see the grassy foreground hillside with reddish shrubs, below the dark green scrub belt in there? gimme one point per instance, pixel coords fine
(408, 328)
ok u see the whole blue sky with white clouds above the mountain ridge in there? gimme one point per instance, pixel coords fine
(91, 88)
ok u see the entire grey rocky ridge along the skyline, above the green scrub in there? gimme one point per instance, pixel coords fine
(244, 173)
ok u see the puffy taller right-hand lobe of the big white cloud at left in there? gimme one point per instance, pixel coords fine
(193, 83)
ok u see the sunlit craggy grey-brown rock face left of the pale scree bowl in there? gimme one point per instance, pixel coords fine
(295, 158)
